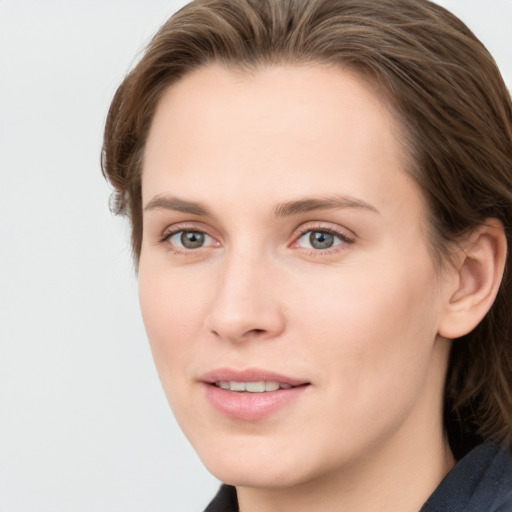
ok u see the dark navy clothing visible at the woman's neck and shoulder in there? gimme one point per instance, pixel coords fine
(480, 482)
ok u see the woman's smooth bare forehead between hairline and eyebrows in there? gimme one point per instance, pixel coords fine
(287, 126)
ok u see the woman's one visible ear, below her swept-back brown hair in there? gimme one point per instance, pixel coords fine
(477, 278)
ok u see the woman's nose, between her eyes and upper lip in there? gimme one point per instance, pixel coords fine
(246, 303)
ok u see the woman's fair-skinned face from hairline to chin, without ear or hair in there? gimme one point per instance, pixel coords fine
(285, 253)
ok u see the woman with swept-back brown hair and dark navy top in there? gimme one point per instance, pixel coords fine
(320, 195)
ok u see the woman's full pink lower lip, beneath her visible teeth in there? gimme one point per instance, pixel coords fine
(250, 406)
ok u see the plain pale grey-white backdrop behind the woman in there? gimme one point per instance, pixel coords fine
(84, 424)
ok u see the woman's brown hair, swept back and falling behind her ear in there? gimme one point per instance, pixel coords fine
(449, 95)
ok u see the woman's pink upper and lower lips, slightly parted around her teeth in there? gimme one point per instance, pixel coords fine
(247, 406)
